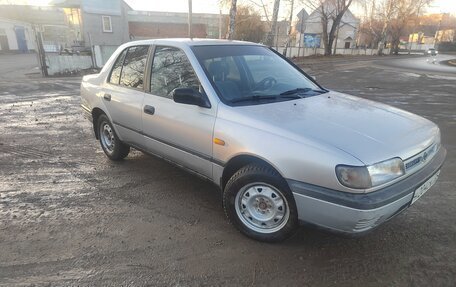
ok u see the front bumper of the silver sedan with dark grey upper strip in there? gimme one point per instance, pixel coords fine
(356, 213)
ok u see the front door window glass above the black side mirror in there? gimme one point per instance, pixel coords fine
(170, 70)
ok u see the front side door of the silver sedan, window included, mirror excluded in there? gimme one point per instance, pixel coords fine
(179, 132)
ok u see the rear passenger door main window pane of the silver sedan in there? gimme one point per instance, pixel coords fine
(132, 75)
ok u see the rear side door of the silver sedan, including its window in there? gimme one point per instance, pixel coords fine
(124, 93)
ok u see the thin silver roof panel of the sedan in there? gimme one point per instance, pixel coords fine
(190, 42)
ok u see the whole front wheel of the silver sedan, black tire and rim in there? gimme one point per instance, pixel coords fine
(259, 203)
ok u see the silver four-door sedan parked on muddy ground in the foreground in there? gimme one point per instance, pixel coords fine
(282, 149)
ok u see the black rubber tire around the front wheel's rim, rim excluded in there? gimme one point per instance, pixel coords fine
(256, 173)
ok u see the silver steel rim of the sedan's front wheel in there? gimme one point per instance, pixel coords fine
(262, 208)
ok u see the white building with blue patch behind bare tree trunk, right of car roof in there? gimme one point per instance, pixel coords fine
(310, 30)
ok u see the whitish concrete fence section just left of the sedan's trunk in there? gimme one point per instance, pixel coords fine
(65, 64)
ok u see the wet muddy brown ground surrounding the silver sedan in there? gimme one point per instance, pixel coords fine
(70, 217)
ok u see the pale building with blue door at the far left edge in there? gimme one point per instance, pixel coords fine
(16, 36)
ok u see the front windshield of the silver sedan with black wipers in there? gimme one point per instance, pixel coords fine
(247, 75)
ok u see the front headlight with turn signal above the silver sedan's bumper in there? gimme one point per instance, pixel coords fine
(364, 177)
